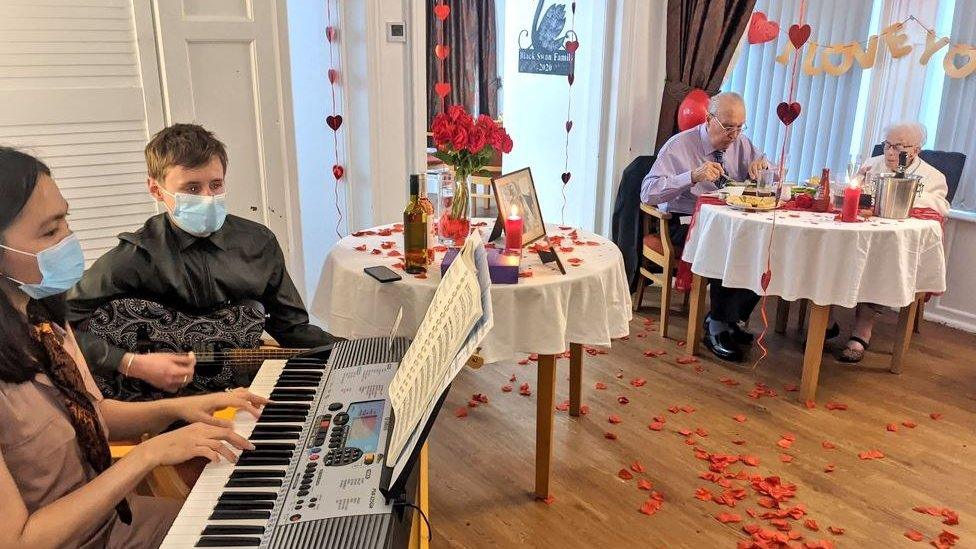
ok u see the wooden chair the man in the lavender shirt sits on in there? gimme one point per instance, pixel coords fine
(657, 249)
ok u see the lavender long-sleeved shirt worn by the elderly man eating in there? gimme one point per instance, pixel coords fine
(669, 181)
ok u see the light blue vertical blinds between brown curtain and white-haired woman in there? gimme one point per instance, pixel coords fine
(822, 133)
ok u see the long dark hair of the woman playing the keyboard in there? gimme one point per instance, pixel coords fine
(20, 355)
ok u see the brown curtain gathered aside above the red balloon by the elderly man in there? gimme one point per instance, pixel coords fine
(702, 36)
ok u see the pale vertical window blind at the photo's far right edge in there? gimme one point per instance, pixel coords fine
(958, 116)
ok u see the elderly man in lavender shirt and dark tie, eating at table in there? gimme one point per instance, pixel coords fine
(697, 161)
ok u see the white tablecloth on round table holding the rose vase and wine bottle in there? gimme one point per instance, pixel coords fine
(542, 314)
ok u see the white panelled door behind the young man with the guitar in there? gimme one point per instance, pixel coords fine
(223, 64)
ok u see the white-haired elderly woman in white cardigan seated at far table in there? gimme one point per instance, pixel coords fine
(907, 137)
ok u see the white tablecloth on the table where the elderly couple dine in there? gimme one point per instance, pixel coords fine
(813, 256)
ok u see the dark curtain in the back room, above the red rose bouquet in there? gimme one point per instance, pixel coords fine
(471, 66)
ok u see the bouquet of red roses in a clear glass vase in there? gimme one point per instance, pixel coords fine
(467, 145)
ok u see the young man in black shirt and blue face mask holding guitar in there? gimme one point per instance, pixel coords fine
(193, 257)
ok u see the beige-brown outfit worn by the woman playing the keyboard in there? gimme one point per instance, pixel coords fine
(38, 446)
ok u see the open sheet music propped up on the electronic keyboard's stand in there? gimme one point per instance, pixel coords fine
(457, 320)
